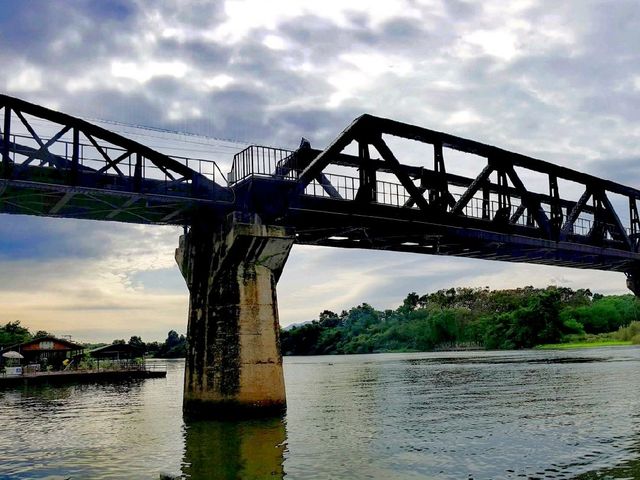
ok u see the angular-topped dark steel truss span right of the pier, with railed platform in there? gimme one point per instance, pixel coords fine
(424, 209)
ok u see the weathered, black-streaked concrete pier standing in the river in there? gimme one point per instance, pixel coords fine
(234, 365)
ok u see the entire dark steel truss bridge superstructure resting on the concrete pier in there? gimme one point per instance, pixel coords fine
(356, 193)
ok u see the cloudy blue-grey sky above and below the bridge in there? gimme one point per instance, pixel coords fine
(555, 80)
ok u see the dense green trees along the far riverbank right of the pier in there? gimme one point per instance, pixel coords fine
(464, 318)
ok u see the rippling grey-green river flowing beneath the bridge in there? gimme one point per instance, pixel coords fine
(453, 415)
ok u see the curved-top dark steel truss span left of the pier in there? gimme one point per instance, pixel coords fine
(57, 165)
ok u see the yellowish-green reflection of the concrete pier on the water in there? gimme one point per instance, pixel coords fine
(235, 450)
